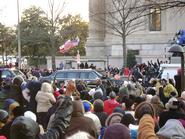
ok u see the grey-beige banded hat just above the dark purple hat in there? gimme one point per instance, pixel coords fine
(113, 118)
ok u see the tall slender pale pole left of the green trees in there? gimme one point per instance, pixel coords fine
(18, 36)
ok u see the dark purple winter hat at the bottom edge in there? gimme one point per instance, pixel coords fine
(117, 131)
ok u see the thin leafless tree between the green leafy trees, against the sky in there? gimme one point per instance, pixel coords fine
(55, 11)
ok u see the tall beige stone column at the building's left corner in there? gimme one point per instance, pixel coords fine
(95, 46)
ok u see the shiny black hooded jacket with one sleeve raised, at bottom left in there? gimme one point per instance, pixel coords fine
(25, 128)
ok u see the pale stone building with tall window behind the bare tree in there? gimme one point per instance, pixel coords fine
(149, 43)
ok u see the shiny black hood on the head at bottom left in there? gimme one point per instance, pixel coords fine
(24, 128)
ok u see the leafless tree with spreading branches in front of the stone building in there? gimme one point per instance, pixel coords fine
(122, 18)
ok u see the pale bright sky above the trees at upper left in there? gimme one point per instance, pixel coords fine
(8, 8)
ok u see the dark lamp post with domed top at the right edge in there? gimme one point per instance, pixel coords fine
(178, 50)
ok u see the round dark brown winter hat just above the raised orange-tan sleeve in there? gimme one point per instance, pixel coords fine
(144, 108)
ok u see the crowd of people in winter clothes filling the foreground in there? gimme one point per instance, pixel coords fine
(41, 110)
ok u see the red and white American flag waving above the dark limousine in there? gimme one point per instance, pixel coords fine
(68, 45)
